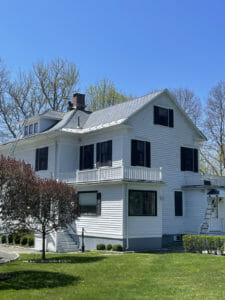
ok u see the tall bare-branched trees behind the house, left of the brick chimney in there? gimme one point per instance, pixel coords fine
(46, 86)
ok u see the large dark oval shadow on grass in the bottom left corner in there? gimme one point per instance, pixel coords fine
(36, 280)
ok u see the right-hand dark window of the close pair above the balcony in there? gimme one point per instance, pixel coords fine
(104, 154)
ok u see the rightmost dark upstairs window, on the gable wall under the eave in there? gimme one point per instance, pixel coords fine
(189, 159)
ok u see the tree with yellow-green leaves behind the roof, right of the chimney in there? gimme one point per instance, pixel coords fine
(103, 94)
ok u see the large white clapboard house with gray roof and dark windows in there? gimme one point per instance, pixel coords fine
(135, 166)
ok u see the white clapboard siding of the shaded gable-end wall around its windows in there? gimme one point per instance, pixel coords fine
(165, 153)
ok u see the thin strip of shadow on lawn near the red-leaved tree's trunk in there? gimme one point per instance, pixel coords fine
(78, 259)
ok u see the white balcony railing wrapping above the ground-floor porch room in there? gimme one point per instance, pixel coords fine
(109, 174)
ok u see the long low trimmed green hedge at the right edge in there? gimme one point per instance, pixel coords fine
(198, 243)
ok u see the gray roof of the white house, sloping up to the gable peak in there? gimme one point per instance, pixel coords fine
(107, 117)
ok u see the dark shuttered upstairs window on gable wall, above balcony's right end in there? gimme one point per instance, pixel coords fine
(140, 153)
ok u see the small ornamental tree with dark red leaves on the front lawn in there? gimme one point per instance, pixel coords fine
(28, 202)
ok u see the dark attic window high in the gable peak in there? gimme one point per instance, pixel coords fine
(163, 116)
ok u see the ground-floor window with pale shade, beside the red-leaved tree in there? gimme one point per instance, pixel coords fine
(90, 203)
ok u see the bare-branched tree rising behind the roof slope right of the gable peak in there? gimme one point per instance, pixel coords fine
(190, 103)
